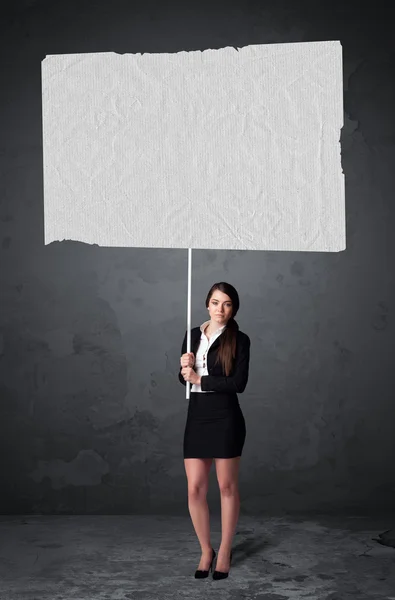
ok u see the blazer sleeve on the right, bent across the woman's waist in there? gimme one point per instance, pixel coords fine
(238, 381)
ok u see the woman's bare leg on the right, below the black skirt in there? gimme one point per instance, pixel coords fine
(227, 475)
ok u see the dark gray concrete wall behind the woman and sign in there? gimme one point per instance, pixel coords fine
(91, 410)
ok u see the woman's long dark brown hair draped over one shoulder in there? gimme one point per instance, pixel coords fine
(227, 349)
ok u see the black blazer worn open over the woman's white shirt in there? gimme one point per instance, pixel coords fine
(216, 380)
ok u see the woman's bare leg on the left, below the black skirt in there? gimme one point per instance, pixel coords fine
(197, 470)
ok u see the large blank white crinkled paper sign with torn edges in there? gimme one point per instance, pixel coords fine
(220, 149)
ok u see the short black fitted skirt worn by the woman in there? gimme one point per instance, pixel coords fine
(215, 426)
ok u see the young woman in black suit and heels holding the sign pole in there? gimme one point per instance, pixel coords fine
(217, 369)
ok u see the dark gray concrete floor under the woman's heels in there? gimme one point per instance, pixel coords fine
(148, 557)
